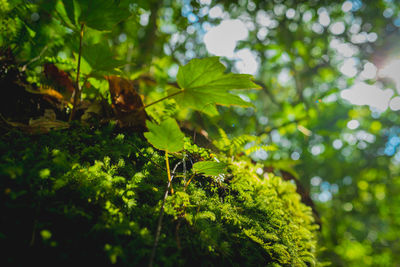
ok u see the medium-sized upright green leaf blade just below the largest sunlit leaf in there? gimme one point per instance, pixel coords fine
(167, 136)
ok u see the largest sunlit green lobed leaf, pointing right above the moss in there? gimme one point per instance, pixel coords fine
(203, 84)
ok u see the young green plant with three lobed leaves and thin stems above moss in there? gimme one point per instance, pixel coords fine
(203, 84)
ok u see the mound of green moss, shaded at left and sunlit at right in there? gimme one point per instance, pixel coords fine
(92, 196)
